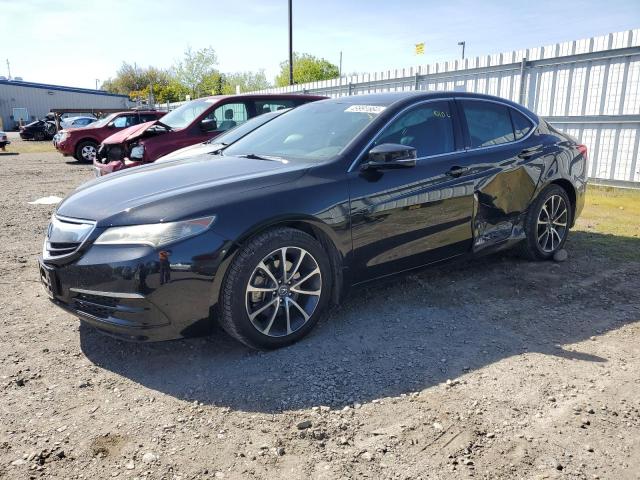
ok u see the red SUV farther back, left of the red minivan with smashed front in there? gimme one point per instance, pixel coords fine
(82, 143)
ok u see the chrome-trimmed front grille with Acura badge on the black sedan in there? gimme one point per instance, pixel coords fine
(65, 236)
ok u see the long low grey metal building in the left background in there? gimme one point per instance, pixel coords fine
(40, 100)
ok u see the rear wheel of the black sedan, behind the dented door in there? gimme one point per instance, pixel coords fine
(547, 224)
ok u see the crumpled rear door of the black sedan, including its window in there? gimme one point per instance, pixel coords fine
(501, 142)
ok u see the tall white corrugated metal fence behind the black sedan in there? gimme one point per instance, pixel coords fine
(589, 88)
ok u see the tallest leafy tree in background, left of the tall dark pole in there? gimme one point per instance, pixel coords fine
(196, 71)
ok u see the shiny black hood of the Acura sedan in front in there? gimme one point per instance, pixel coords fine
(174, 190)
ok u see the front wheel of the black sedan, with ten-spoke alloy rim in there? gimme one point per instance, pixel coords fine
(276, 289)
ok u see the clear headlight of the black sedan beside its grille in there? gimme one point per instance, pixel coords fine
(154, 234)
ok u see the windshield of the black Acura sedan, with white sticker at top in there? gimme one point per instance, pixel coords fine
(313, 132)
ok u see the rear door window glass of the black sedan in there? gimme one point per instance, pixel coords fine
(488, 123)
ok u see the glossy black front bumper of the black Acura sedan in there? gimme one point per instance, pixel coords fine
(132, 293)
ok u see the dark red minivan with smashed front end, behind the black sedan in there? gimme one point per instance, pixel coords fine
(193, 122)
